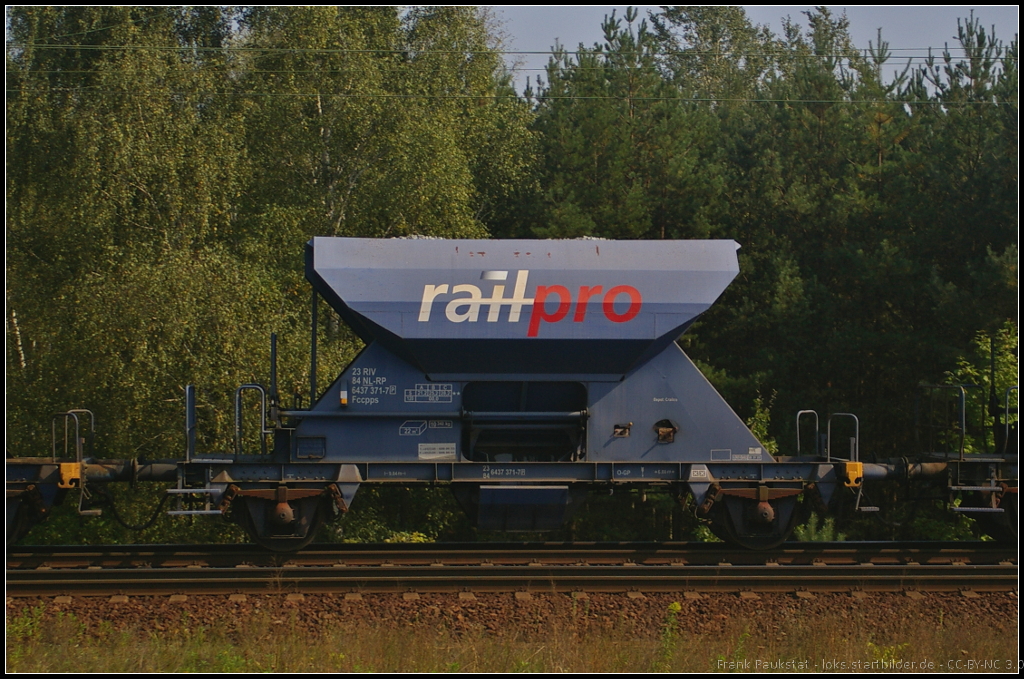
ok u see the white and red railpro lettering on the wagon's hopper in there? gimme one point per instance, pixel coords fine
(466, 308)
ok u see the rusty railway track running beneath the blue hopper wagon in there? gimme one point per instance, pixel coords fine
(518, 568)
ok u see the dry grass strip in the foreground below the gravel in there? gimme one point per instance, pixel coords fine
(41, 642)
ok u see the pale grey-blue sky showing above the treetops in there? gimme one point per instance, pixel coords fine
(536, 29)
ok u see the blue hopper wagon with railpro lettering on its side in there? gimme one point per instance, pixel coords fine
(522, 373)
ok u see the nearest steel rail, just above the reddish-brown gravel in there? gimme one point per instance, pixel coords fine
(511, 579)
